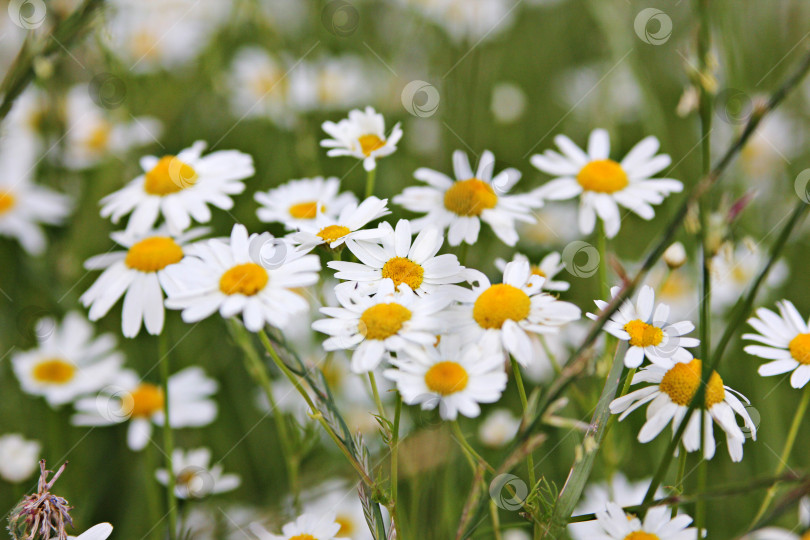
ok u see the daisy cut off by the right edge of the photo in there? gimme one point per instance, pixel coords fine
(785, 340)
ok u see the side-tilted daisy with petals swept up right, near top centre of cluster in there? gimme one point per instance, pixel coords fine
(333, 232)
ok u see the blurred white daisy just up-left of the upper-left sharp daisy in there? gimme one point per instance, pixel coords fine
(91, 135)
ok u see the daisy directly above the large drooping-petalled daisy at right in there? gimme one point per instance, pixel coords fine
(645, 328)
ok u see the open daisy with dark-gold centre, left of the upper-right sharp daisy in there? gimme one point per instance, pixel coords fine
(461, 205)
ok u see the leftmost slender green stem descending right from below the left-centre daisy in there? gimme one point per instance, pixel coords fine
(258, 371)
